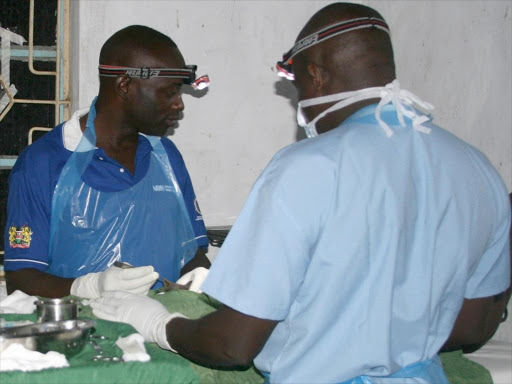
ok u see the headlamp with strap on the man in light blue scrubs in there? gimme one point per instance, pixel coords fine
(284, 67)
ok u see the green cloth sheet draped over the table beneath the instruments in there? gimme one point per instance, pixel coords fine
(168, 367)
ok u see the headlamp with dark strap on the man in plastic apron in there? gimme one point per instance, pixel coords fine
(188, 74)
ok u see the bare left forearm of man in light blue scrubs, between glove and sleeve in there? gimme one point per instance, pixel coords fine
(223, 338)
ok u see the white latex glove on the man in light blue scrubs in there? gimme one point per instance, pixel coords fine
(146, 315)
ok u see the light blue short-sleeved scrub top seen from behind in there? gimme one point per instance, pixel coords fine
(364, 247)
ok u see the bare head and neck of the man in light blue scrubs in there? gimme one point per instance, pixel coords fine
(350, 61)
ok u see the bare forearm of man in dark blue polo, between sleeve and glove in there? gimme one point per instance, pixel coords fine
(34, 282)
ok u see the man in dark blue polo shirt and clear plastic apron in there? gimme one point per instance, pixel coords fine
(106, 185)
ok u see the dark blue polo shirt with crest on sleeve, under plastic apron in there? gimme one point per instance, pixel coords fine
(33, 179)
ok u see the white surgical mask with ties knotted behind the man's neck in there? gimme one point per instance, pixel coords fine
(400, 98)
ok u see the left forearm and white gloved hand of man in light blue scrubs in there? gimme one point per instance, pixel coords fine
(225, 337)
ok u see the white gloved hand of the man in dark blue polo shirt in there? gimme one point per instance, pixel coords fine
(136, 280)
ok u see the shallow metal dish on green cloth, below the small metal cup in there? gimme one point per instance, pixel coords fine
(67, 337)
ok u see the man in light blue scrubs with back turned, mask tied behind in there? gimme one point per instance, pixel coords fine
(366, 240)
